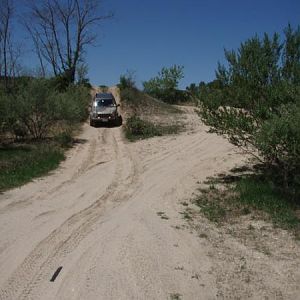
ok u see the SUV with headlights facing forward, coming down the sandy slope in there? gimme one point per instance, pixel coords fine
(104, 109)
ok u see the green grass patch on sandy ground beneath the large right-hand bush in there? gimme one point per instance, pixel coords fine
(248, 195)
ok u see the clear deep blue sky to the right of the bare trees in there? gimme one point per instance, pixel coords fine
(146, 35)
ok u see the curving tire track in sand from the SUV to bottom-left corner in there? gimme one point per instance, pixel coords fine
(40, 263)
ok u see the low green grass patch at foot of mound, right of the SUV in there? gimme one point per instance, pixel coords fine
(137, 129)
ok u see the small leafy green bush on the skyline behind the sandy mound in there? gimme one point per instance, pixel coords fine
(165, 85)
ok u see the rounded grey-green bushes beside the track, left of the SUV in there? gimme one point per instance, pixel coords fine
(36, 106)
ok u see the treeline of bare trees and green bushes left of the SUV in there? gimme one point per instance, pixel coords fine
(56, 90)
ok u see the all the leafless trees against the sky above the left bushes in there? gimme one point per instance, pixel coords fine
(57, 32)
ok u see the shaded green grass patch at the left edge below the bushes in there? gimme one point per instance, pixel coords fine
(21, 163)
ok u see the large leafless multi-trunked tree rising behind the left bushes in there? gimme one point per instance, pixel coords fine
(61, 31)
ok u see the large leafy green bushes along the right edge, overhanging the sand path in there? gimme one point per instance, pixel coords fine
(255, 102)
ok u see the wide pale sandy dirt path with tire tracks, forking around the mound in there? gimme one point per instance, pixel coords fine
(109, 216)
